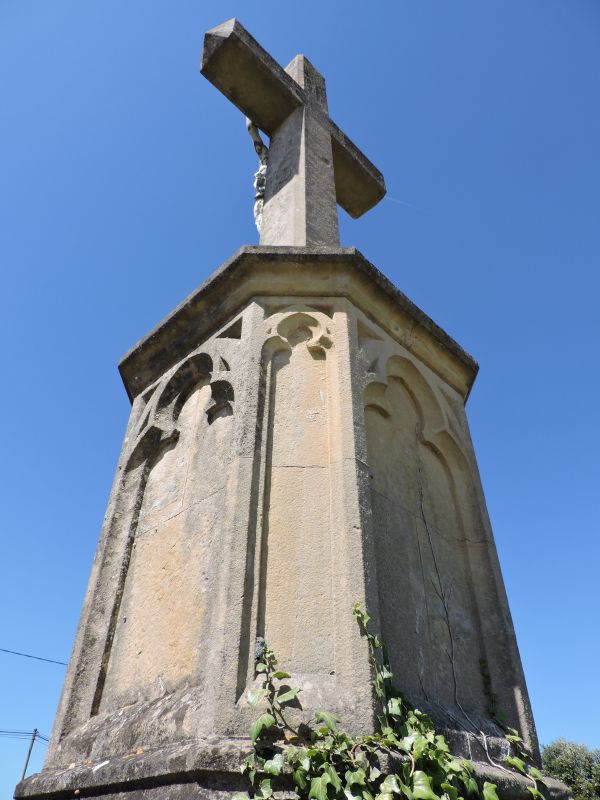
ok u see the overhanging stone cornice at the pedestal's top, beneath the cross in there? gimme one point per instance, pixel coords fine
(318, 272)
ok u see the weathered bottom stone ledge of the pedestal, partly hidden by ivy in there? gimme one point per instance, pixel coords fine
(202, 770)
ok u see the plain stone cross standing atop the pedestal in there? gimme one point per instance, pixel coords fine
(312, 165)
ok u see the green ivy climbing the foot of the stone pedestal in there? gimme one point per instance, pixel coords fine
(404, 758)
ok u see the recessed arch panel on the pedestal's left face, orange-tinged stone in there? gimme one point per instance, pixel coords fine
(178, 472)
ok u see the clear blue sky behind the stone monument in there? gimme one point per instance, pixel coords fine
(126, 180)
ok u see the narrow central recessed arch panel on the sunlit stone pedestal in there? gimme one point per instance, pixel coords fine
(294, 570)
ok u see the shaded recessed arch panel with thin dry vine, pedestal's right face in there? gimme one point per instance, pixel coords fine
(425, 523)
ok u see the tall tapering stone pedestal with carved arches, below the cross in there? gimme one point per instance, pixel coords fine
(297, 442)
